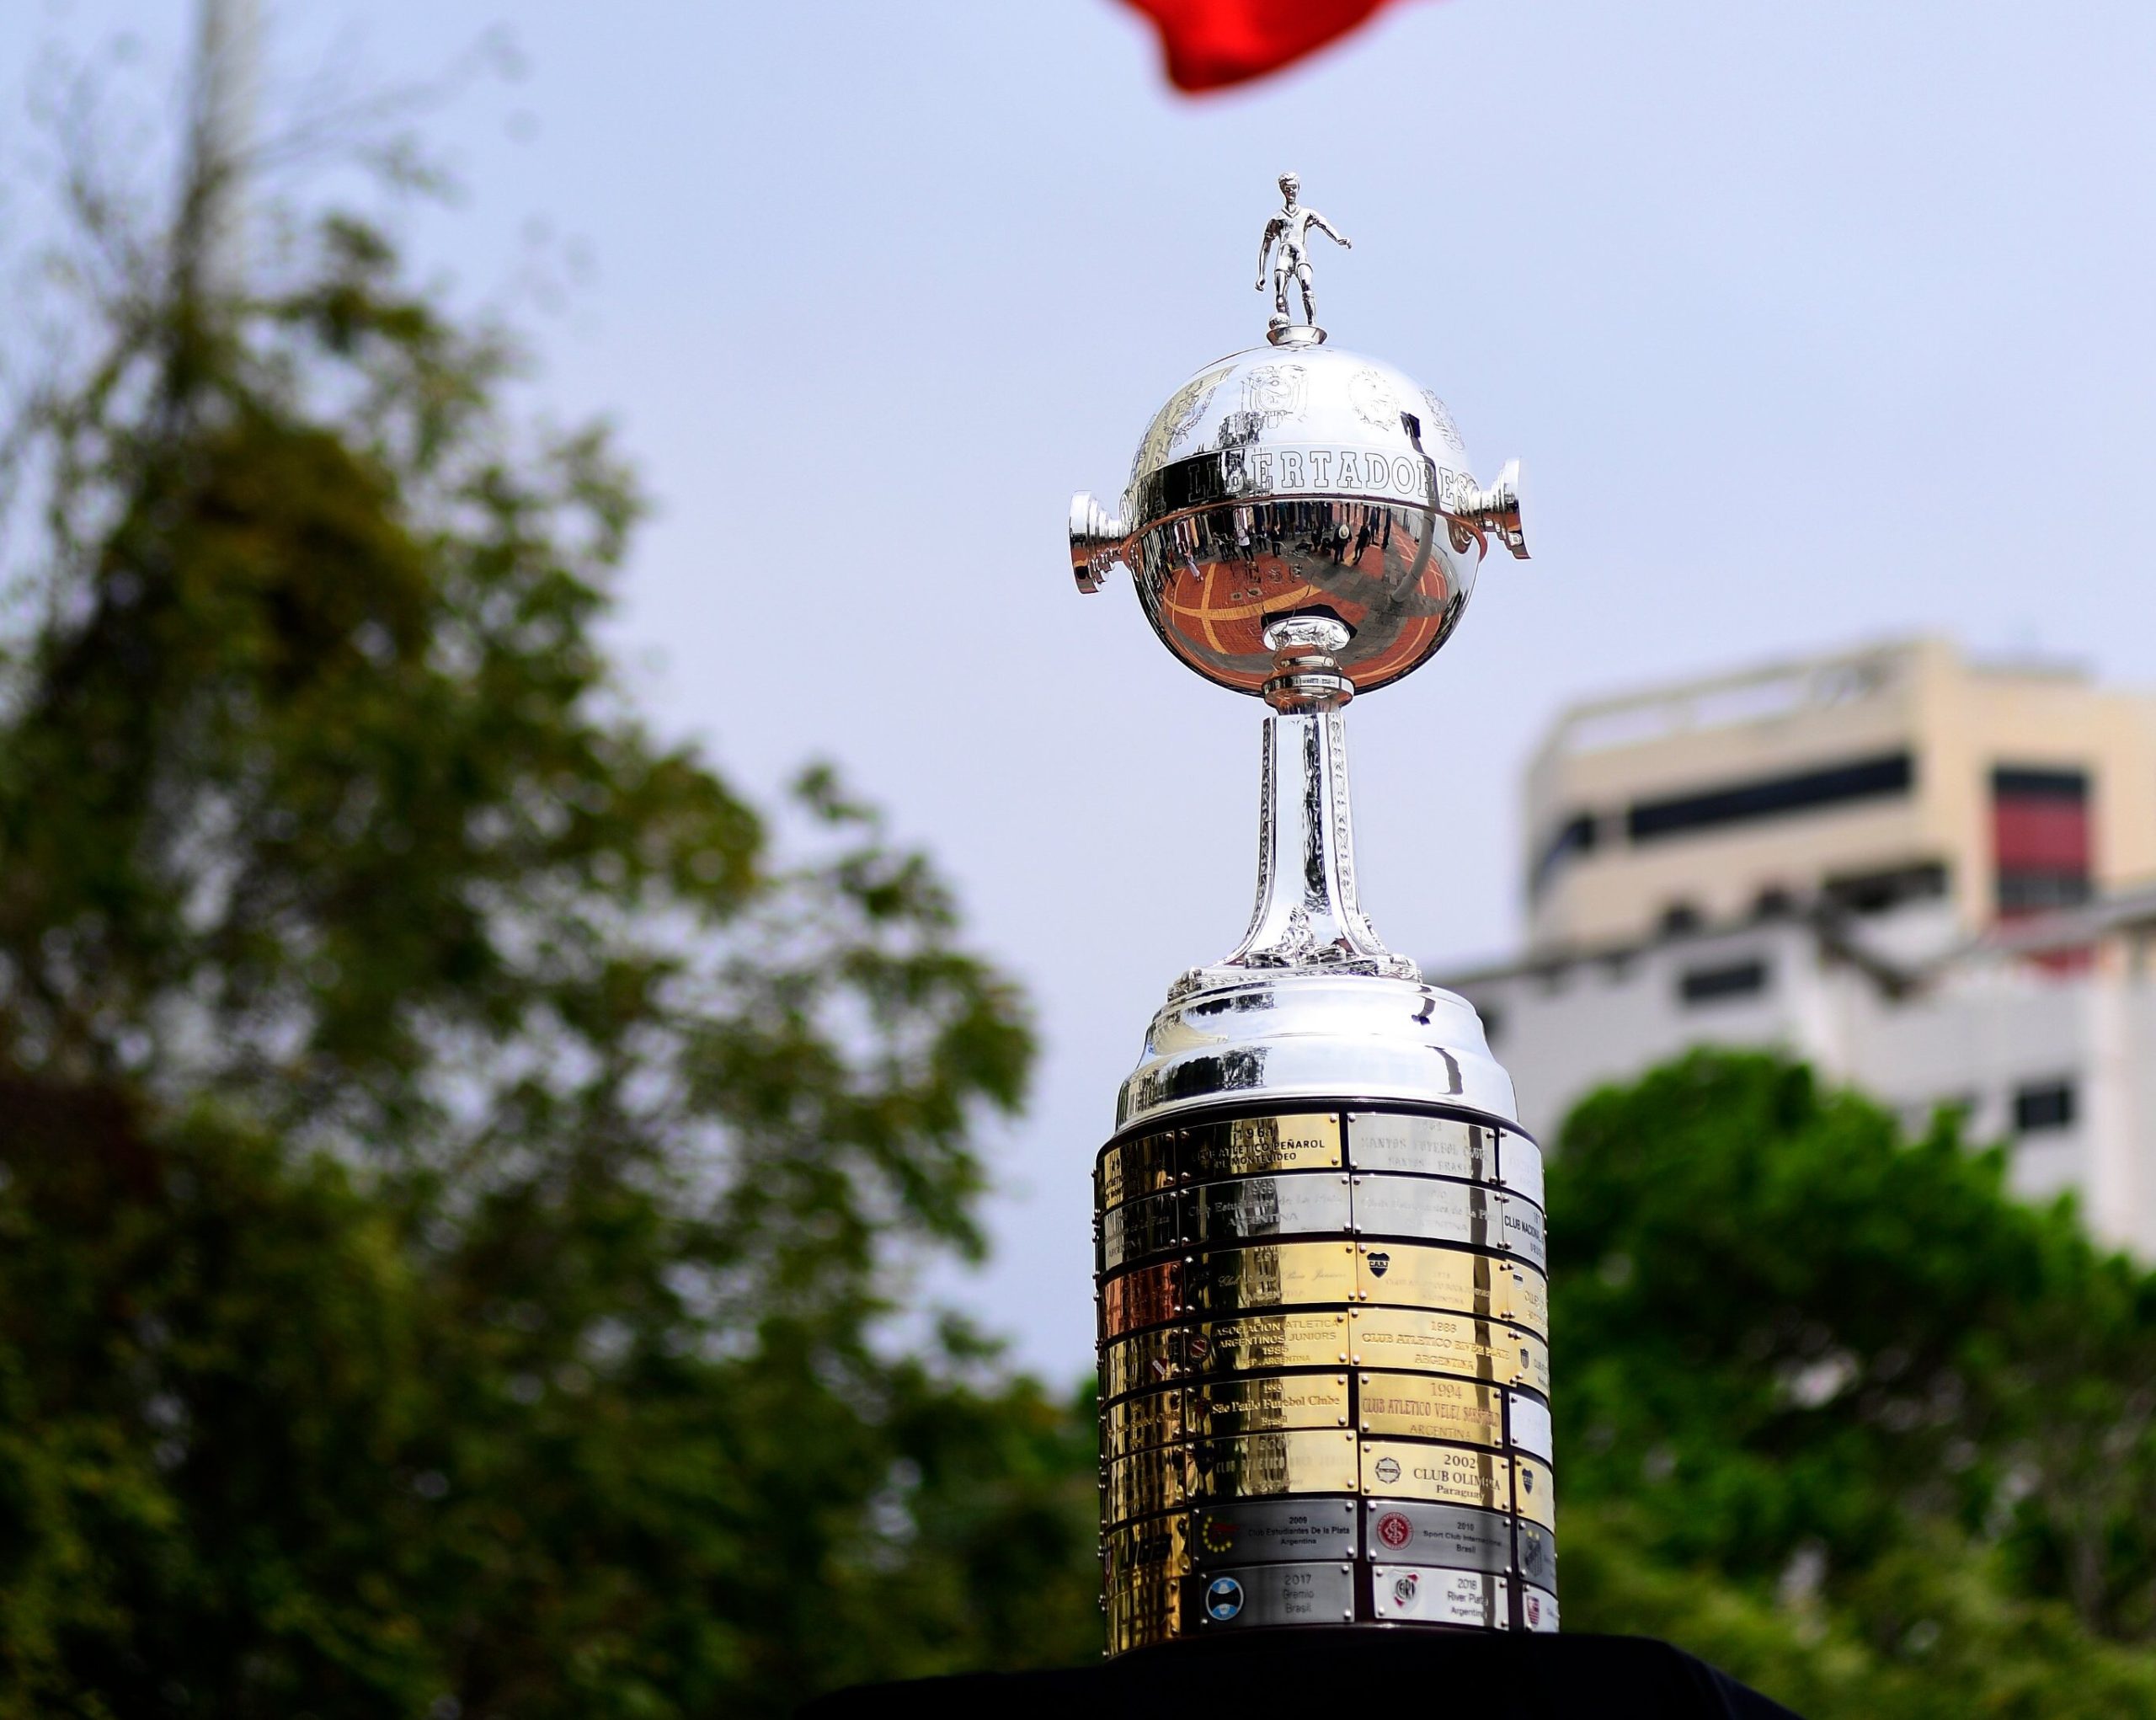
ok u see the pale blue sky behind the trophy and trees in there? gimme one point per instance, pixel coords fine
(1810, 322)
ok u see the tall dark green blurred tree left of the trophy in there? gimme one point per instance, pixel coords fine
(456, 1165)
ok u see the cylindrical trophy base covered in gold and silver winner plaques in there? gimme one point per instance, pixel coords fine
(1325, 1376)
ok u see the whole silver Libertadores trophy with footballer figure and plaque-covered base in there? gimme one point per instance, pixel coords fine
(1321, 1245)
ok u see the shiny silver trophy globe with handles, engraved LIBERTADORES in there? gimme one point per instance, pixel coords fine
(1301, 482)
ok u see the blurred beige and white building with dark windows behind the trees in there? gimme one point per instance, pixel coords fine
(1929, 878)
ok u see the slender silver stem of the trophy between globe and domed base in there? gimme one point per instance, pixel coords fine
(1308, 915)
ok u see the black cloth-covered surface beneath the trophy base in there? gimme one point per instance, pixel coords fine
(1310, 1674)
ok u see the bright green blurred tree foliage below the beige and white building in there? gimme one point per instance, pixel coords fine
(1840, 1415)
